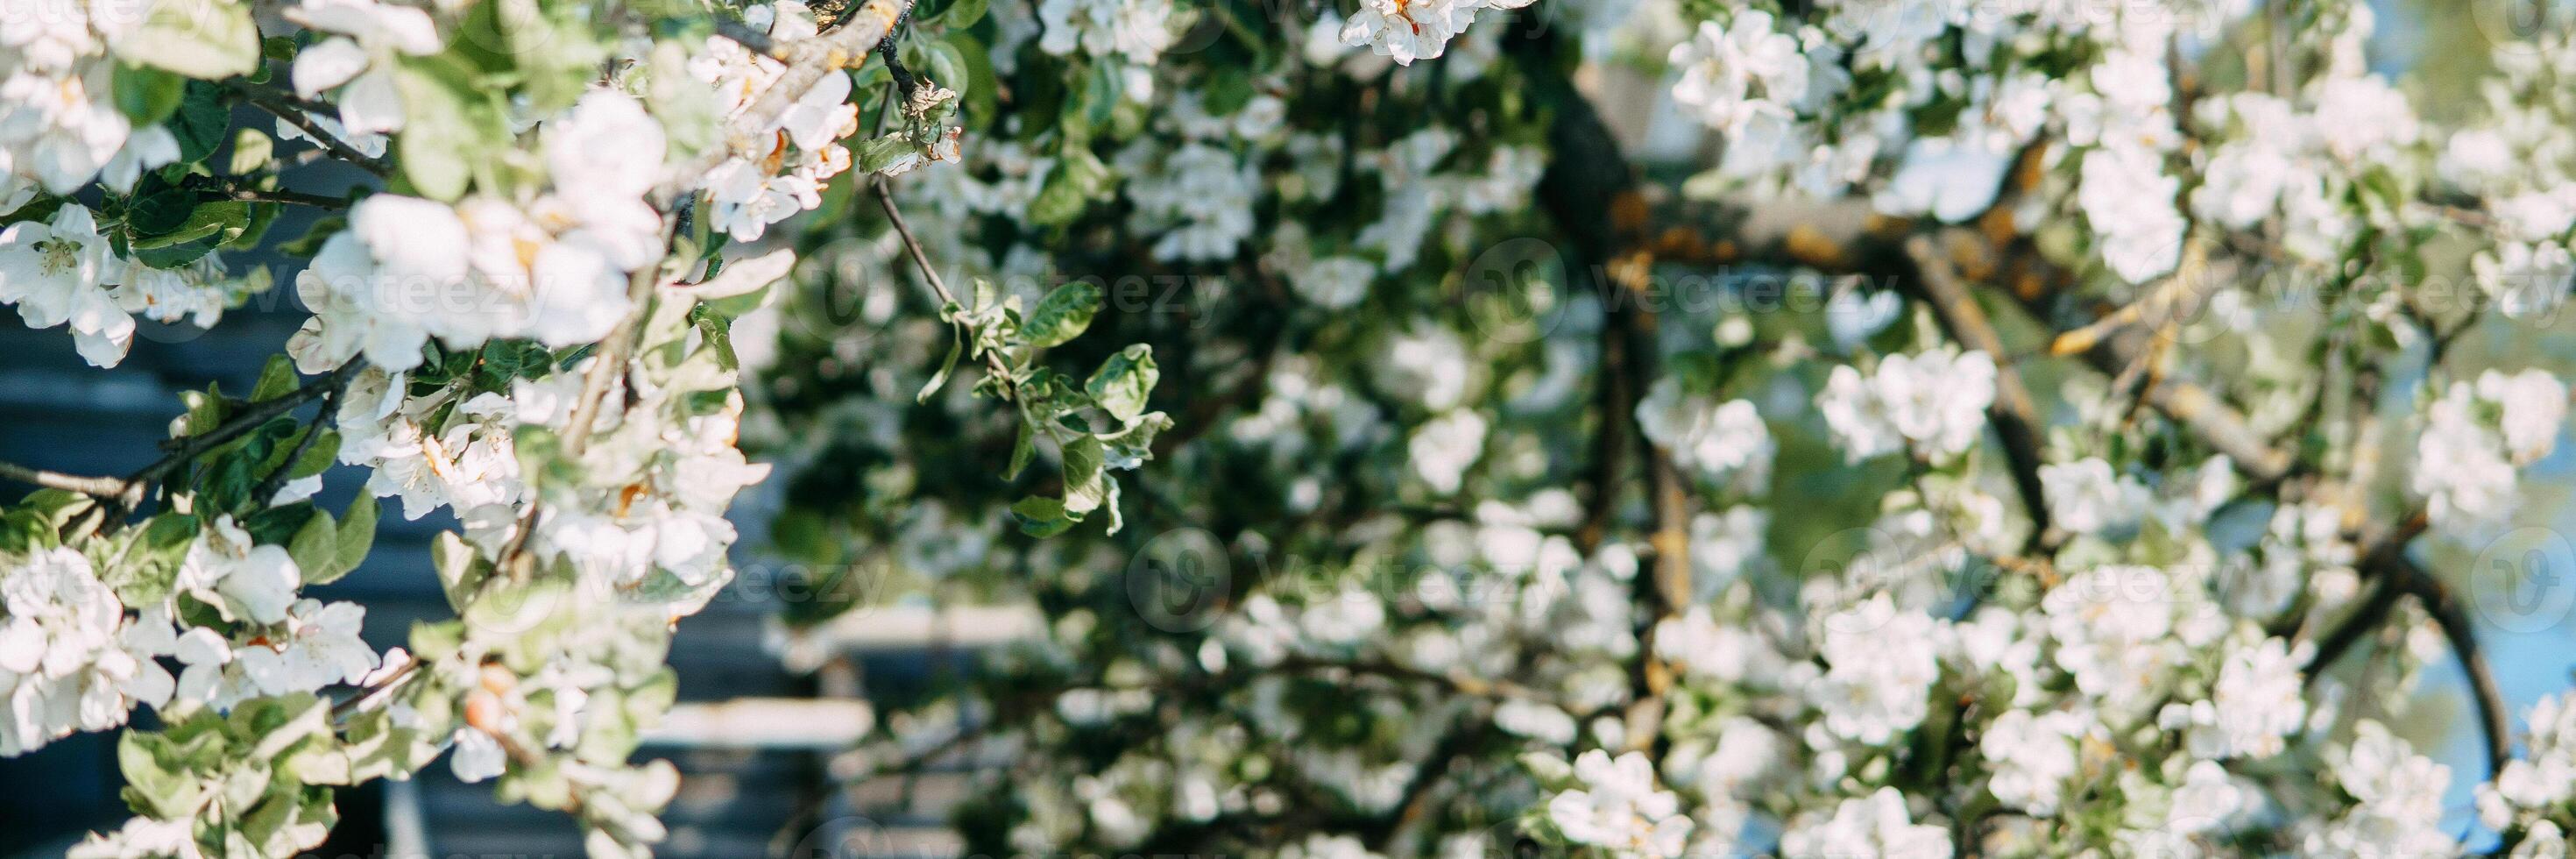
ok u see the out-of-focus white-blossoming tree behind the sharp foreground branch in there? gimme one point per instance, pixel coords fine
(1439, 618)
